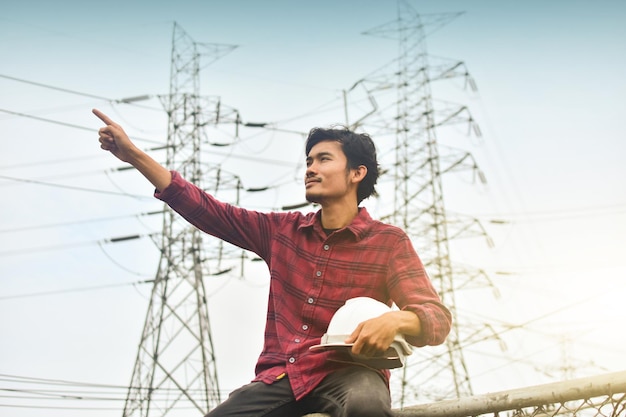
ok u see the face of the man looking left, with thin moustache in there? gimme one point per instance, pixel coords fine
(327, 176)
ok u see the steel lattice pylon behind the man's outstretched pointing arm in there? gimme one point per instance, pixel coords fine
(175, 369)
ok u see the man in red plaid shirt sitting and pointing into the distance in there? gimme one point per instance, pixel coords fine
(317, 261)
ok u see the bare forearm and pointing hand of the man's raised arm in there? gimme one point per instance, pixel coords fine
(113, 139)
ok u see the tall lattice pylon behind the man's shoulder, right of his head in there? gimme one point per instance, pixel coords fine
(410, 117)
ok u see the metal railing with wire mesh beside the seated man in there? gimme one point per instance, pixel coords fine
(598, 396)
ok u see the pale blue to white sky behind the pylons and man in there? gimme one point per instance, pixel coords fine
(550, 103)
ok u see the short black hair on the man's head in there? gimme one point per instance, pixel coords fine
(359, 149)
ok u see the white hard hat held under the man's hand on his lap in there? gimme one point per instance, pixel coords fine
(347, 318)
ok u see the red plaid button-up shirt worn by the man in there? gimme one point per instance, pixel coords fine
(313, 274)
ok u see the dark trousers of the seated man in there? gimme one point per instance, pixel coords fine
(349, 392)
